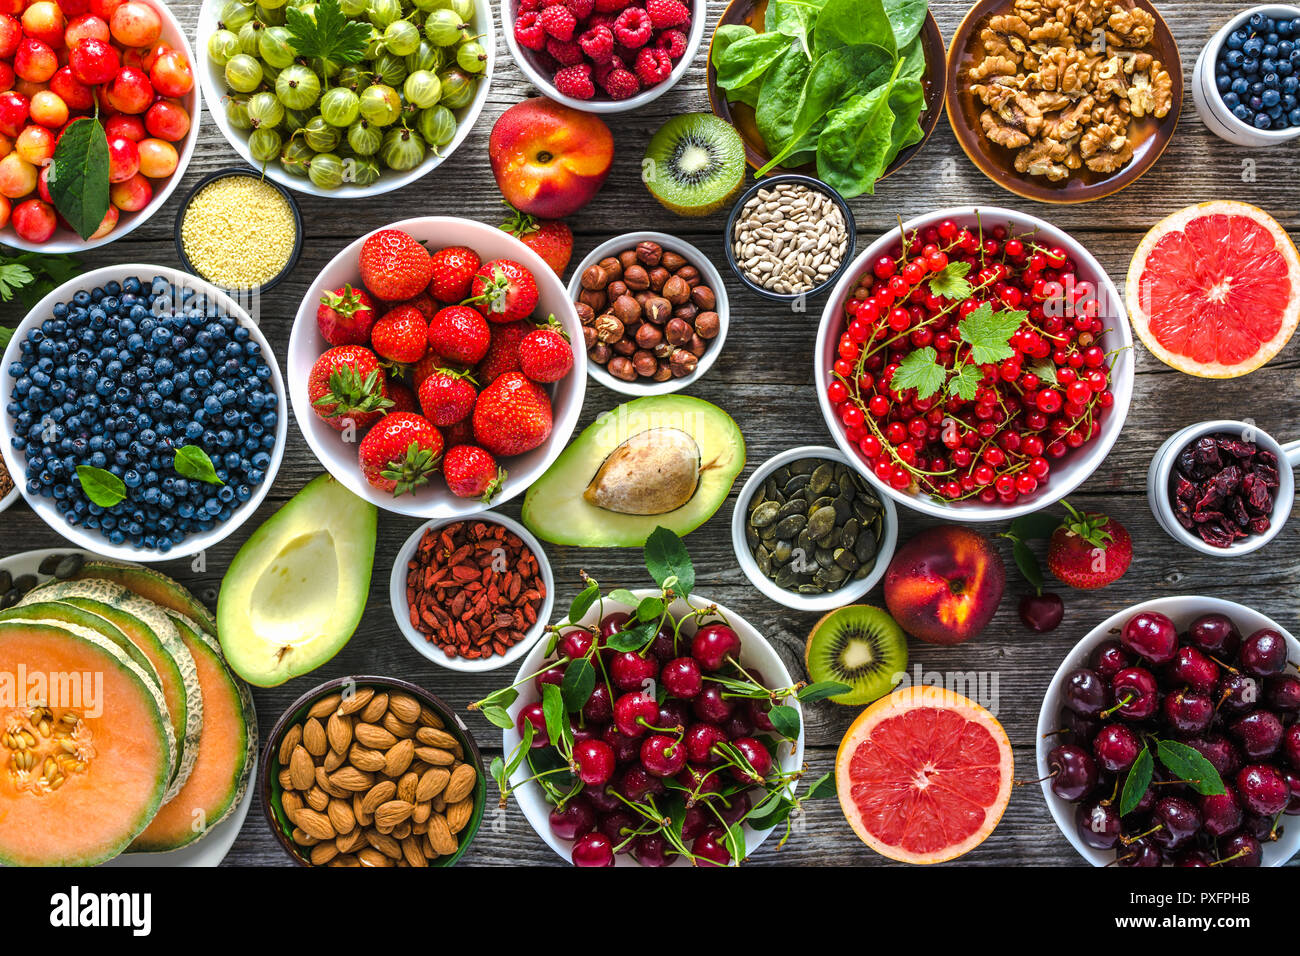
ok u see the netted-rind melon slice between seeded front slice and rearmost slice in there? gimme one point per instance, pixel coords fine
(153, 631)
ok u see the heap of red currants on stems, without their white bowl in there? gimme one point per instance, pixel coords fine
(1034, 406)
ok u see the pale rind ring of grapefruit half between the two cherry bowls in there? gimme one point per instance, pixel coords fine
(902, 703)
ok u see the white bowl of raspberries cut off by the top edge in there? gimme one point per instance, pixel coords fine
(604, 57)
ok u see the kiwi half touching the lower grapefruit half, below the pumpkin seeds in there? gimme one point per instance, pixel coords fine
(861, 647)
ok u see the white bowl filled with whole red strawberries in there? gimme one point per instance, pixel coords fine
(432, 369)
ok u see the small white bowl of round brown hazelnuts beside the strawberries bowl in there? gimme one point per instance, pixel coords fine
(655, 313)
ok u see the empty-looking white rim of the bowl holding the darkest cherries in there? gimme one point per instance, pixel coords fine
(1182, 611)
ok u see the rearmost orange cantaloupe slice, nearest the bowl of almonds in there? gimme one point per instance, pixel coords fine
(228, 749)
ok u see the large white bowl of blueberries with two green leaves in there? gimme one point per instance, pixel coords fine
(145, 416)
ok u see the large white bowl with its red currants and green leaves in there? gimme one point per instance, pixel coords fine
(983, 373)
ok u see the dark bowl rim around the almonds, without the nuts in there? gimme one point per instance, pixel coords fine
(270, 767)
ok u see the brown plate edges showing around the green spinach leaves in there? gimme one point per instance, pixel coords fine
(742, 116)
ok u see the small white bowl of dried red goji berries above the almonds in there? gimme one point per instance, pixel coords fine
(473, 594)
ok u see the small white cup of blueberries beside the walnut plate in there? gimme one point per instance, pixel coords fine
(1247, 79)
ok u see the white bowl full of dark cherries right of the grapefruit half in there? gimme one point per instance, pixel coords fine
(1169, 737)
